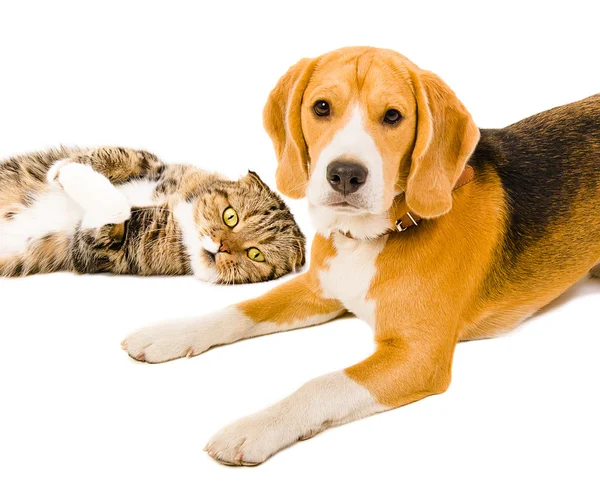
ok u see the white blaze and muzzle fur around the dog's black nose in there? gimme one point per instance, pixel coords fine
(352, 141)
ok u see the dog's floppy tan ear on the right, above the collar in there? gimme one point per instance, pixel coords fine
(446, 137)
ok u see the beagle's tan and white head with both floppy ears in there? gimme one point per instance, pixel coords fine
(355, 127)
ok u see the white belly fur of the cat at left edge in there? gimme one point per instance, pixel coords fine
(53, 211)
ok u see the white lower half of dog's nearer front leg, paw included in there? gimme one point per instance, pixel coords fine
(329, 400)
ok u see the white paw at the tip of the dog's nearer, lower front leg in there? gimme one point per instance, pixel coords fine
(251, 440)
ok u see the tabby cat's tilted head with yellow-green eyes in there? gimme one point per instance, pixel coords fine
(247, 233)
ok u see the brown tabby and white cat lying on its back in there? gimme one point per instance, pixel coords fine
(124, 211)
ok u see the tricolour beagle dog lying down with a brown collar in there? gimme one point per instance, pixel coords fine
(429, 229)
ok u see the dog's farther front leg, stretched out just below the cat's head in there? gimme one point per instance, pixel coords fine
(292, 305)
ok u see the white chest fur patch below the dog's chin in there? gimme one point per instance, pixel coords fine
(349, 275)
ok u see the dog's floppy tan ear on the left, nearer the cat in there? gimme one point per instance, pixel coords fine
(281, 118)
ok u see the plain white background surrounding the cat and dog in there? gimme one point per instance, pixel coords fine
(188, 82)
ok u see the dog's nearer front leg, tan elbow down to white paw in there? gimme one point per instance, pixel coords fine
(403, 369)
